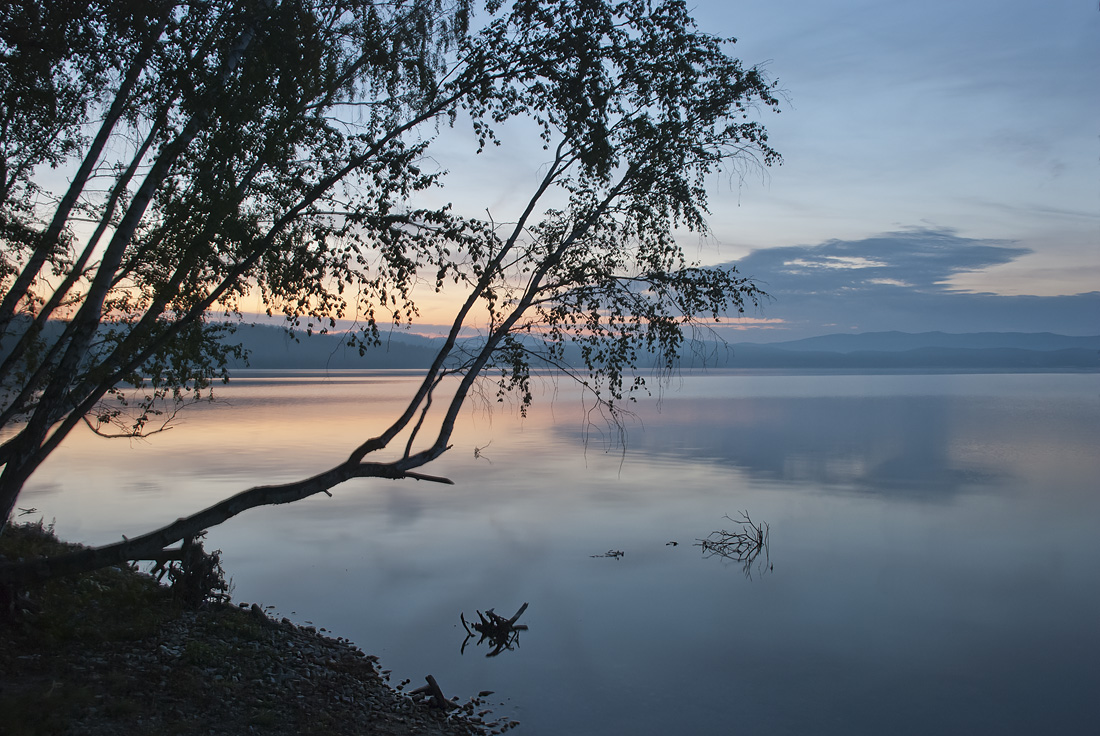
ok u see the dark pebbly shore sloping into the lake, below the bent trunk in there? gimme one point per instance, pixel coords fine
(115, 653)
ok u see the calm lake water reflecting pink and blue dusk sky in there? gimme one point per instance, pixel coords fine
(933, 561)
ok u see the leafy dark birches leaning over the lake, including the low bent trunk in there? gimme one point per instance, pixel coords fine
(215, 150)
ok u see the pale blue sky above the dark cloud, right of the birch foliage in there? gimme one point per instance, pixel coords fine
(970, 115)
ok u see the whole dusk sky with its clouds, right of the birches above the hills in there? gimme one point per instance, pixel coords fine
(942, 168)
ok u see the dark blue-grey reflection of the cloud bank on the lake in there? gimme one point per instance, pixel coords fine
(898, 445)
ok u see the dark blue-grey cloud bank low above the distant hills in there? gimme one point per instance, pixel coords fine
(903, 281)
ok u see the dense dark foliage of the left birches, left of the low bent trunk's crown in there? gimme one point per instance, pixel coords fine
(217, 148)
